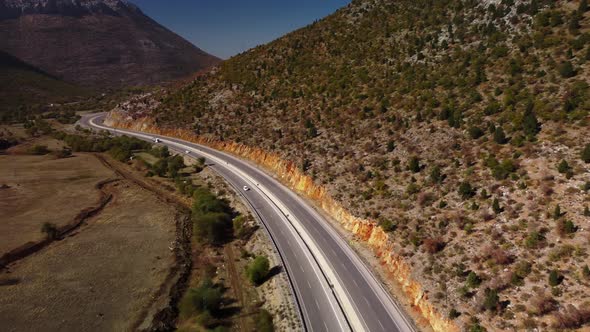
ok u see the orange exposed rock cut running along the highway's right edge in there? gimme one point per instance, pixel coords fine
(366, 230)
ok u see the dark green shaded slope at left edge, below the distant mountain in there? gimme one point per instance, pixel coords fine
(25, 85)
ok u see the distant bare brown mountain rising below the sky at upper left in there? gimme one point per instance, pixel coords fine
(96, 42)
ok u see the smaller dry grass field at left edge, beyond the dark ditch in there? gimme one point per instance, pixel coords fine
(44, 189)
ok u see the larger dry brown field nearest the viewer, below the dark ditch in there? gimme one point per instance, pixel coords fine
(103, 277)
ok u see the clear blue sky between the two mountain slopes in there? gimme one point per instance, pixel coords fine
(228, 27)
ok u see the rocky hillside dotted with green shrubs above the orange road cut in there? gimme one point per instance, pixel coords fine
(460, 126)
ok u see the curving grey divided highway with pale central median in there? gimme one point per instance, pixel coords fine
(334, 289)
